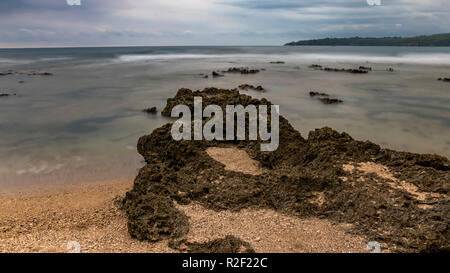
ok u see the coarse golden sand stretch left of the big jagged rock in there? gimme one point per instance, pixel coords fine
(47, 220)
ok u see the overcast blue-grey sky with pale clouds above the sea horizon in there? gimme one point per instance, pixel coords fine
(31, 23)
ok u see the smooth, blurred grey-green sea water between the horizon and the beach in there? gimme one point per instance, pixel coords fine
(82, 123)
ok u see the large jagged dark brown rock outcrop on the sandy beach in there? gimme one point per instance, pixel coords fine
(377, 205)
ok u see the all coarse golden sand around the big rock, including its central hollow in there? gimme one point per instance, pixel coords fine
(87, 216)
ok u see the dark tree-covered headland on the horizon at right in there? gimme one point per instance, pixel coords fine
(429, 40)
